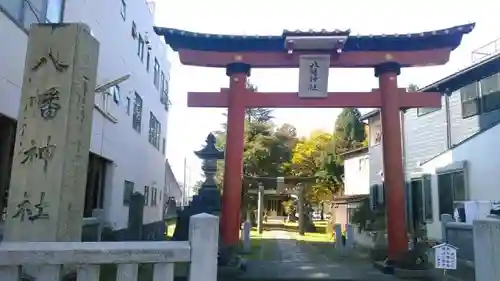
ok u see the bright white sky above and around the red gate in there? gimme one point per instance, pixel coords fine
(188, 127)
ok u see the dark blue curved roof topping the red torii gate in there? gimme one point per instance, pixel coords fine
(443, 38)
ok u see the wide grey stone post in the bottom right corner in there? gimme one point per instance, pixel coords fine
(486, 249)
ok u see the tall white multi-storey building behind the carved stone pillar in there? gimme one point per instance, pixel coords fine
(130, 121)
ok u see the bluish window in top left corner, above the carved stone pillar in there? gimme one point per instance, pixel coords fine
(26, 12)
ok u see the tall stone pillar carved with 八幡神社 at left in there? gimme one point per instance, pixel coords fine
(49, 167)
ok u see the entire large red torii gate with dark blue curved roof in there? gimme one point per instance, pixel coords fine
(387, 54)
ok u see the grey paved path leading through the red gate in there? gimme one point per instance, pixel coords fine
(299, 260)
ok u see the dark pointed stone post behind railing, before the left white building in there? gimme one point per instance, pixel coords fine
(135, 217)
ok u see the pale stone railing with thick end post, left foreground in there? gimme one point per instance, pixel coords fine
(49, 257)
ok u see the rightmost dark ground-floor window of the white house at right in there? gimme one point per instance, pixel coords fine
(451, 188)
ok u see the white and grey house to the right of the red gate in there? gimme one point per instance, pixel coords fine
(450, 151)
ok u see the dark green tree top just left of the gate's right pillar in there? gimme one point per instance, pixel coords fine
(349, 130)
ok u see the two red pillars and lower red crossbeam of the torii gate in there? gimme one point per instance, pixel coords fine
(388, 97)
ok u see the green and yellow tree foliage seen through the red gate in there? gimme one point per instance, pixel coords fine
(273, 151)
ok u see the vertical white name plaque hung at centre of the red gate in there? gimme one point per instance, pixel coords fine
(313, 76)
